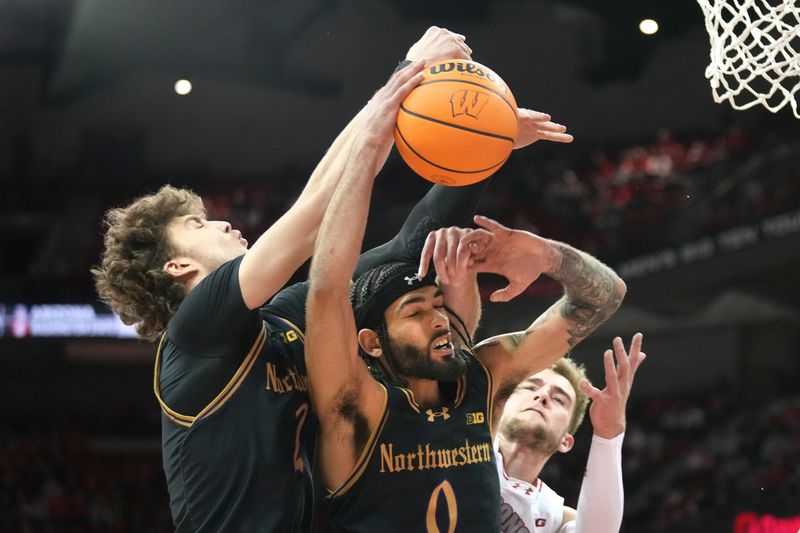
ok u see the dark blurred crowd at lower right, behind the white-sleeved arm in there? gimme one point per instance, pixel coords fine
(692, 463)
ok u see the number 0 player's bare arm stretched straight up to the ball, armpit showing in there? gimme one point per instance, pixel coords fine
(347, 399)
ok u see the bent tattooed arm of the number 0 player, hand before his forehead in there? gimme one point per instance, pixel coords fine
(592, 293)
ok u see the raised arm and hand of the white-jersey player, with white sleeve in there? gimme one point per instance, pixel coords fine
(602, 497)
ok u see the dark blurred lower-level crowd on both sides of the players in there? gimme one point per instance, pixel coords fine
(690, 463)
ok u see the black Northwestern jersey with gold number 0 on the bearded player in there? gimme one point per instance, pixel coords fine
(426, 469)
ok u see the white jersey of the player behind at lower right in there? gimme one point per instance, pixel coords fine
(527, 507)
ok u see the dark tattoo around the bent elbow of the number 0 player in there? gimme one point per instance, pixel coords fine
(593, 292)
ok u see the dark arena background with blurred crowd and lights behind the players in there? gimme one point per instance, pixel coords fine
(696, 205)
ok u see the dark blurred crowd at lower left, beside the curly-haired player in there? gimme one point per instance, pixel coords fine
(76, 473)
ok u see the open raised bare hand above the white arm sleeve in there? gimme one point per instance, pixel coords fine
(607, 411)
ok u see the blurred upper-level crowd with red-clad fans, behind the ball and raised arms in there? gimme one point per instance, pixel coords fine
(616, 202)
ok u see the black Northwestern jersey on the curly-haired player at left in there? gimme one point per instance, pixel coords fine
(243, 463)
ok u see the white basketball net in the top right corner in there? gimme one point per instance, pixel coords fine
(755, 52)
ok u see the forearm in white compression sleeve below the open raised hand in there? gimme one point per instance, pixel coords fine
(602, 497)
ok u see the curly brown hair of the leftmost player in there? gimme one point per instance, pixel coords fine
(131, 277)
